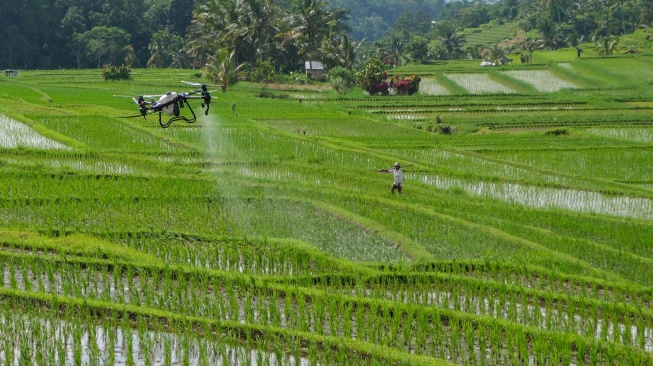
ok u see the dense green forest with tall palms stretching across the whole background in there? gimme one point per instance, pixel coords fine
(281, 34)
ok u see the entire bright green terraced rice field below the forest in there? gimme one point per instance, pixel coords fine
(263, 233)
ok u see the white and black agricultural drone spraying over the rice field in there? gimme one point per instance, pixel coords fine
(171, 104)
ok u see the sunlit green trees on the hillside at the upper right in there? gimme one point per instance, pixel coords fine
(554, 24)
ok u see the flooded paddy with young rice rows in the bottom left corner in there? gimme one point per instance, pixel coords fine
(48, 341)
